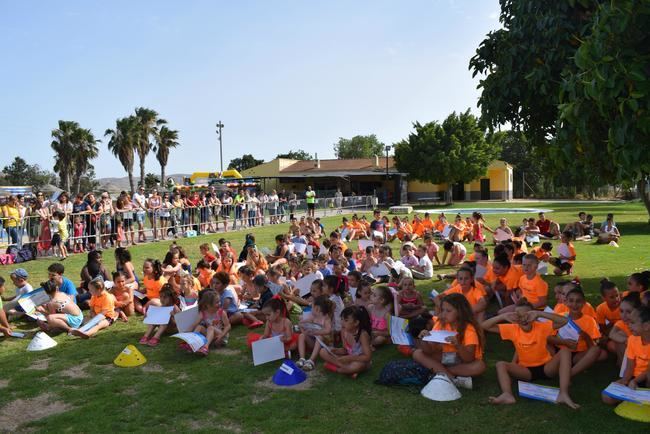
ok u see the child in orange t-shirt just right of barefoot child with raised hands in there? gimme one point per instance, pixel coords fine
(585, 350)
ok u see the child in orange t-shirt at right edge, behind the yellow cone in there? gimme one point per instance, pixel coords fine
(637, 372)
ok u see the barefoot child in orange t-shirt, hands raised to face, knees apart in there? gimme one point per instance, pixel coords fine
(533, 361)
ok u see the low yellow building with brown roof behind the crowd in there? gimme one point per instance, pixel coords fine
(367, 176)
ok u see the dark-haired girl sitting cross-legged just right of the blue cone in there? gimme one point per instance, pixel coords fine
(356, 355)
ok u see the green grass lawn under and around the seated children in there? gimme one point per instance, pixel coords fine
(75, 387)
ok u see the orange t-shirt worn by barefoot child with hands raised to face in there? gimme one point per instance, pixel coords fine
(530, 346)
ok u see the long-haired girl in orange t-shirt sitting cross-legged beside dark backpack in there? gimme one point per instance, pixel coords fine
(462, 356)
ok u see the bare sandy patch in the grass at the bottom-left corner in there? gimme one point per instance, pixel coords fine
(23, 411)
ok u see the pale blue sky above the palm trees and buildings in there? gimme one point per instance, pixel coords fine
(281, 75)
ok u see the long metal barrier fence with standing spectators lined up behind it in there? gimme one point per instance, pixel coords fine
(99, 229)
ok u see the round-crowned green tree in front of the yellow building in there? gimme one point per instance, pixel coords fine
(449, 152)
